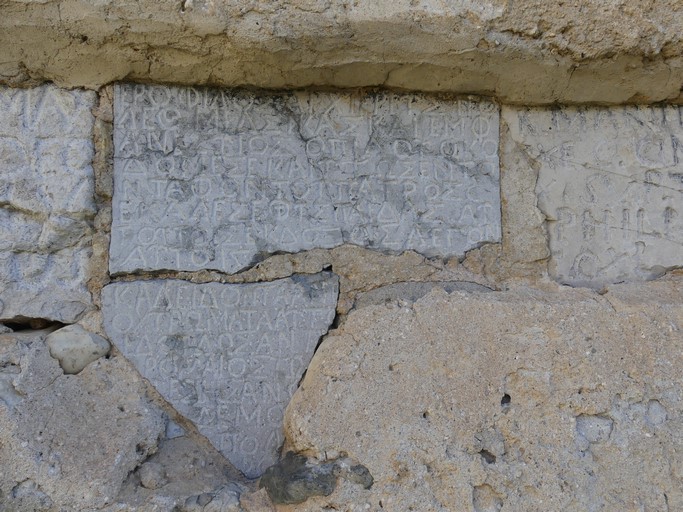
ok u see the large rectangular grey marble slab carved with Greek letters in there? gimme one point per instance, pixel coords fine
(216, 179)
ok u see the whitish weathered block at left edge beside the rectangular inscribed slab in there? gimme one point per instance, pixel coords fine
(46, 202)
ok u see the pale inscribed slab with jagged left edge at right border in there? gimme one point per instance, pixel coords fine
(611, 185)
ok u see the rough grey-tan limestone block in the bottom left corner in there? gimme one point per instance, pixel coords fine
(67, 442)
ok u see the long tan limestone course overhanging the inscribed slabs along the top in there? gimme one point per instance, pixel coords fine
(531, 51)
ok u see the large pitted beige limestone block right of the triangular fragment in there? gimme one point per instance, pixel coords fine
(519, 400)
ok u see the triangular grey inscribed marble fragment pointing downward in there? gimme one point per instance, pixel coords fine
(227, 356)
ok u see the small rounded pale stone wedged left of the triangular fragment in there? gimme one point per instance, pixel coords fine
(75, 348)
